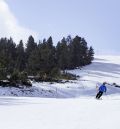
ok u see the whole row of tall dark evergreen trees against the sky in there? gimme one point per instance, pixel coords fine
(43, 58)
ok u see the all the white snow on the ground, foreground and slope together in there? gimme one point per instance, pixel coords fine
(69, 105)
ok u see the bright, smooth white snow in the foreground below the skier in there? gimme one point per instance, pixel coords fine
(45, 113)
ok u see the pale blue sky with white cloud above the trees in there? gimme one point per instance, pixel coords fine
(97, 21)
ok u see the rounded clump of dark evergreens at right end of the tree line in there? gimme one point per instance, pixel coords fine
(72, 53)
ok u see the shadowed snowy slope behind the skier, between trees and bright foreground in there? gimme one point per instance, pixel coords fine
(103, 68)
